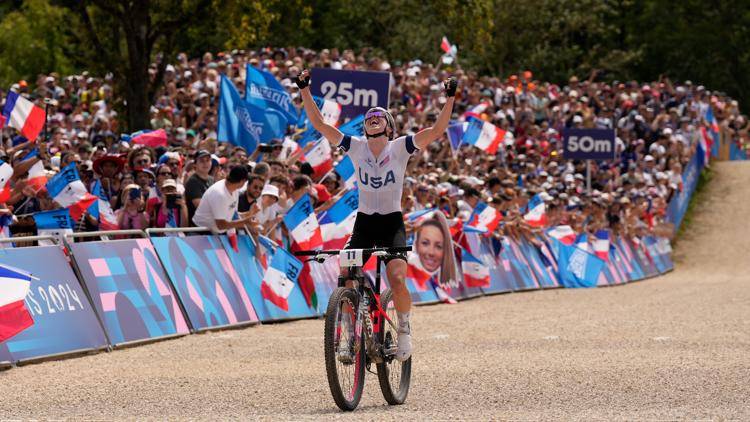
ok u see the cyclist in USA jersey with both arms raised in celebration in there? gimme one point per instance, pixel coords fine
(380, 160)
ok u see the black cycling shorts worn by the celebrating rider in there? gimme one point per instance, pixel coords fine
(378, 230)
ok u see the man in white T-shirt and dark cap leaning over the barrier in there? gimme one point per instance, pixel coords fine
(218, 205)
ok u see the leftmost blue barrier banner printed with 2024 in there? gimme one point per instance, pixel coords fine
(64, 320)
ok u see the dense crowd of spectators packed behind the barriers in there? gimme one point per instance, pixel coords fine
(657, 126)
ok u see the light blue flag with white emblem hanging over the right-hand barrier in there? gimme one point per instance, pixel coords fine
(578, 268)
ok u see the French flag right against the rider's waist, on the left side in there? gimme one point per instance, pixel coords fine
(337, 223)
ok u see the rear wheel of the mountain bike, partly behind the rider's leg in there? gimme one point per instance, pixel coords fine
(394, 376)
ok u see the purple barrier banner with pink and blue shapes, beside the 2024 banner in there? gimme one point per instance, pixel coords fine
(130, 291)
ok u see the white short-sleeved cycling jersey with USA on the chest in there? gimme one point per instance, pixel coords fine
(380, 180)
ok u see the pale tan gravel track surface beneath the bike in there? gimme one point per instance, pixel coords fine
(674, 347)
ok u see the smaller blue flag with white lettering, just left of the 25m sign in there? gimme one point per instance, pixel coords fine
(263, 90)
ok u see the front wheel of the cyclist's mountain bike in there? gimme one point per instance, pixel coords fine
(345, 360)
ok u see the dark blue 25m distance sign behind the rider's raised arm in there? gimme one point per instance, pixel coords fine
(355, 91)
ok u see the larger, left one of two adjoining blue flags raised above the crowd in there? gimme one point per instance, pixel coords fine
(244, 124)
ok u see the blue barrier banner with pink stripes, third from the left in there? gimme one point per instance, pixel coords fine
(205, 280)
